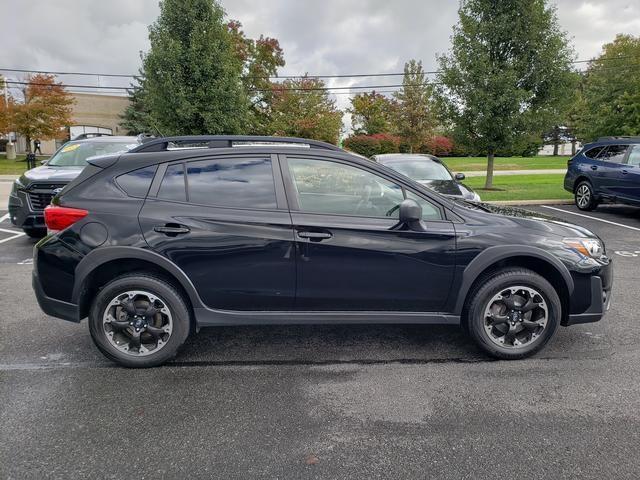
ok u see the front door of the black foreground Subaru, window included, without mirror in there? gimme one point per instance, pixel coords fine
(351, 256)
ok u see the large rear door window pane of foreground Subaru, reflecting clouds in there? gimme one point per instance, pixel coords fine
(232, 182)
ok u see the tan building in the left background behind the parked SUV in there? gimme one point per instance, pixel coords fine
(92, 113)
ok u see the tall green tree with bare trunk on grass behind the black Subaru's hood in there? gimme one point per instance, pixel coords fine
(508, 68)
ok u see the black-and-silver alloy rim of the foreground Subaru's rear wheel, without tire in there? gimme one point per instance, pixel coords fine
(137, 323)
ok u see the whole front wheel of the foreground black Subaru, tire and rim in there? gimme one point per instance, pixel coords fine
(482, 299)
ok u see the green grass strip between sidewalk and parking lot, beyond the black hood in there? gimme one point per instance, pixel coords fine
(522, 187)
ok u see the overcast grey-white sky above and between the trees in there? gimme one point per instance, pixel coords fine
(318, 37)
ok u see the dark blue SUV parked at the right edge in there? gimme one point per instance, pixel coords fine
(607, 170)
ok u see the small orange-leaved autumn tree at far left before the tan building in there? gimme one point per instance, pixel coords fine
(46, 110)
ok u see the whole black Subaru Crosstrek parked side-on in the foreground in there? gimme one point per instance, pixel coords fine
(189, 232)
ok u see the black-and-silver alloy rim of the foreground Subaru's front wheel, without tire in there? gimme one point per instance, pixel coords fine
(516, 317)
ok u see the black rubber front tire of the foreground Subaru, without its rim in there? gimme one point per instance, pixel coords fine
(475, 318)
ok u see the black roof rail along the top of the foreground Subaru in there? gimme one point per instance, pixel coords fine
(226, 141)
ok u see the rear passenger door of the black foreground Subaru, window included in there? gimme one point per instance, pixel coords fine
(224, 221)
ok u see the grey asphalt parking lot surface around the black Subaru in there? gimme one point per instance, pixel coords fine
(326, 401)
